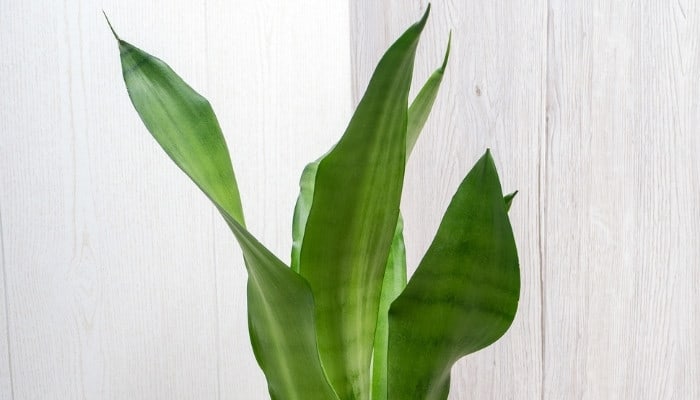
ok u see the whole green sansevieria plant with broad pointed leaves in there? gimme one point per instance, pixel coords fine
(342, 322)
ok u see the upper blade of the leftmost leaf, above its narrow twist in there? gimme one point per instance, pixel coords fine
(183, 123)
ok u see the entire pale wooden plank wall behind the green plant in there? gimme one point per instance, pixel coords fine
(120, 282)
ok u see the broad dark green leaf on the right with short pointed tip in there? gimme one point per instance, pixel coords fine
(464, 294)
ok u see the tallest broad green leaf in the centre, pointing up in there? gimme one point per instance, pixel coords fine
(353, 218)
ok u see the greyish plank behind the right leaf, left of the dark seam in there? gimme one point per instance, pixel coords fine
(492, 96)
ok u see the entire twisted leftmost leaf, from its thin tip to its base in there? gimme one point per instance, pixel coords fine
(280, 303)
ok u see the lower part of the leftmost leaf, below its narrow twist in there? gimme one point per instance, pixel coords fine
(281, 324)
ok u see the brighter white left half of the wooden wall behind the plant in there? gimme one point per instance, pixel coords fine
(121, 281)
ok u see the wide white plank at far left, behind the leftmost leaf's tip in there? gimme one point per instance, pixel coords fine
(110, 274)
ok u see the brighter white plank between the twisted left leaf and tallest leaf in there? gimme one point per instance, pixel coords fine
(279, 78)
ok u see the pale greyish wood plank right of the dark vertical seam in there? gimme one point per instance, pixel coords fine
(622, 188)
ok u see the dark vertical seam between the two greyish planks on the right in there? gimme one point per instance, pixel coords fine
(542, 201)
